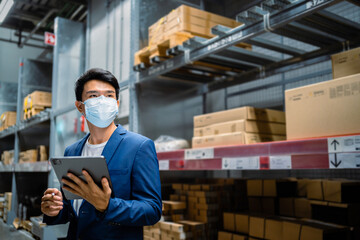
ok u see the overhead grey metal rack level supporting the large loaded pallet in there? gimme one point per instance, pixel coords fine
(306, 21)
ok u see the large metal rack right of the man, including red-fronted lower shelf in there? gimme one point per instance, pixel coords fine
(308, 22)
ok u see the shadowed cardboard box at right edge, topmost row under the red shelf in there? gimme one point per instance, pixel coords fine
(341, 191)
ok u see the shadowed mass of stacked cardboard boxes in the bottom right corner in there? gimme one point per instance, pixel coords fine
(297, 209)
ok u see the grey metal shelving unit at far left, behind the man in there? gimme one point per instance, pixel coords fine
(57, 77)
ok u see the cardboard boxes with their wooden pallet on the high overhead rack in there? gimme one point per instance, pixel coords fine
(178, 26)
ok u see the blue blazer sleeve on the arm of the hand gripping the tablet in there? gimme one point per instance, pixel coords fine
(145, 206)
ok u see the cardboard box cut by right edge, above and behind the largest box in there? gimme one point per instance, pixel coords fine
(346, 63)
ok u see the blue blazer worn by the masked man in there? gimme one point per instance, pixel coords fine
(136, 193)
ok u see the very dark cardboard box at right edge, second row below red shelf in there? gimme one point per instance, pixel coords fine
(339, 213)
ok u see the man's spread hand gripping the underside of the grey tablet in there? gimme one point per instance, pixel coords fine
(88, 190)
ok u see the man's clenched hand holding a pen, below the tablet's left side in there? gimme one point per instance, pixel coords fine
(51, 202)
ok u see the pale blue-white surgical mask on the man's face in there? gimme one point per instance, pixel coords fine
(101, 111)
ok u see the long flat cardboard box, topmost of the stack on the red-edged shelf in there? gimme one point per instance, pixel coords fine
(243, 113)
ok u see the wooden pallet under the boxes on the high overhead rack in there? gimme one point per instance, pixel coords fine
(160, 51)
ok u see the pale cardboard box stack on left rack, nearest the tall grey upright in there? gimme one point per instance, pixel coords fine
(36, 102)
